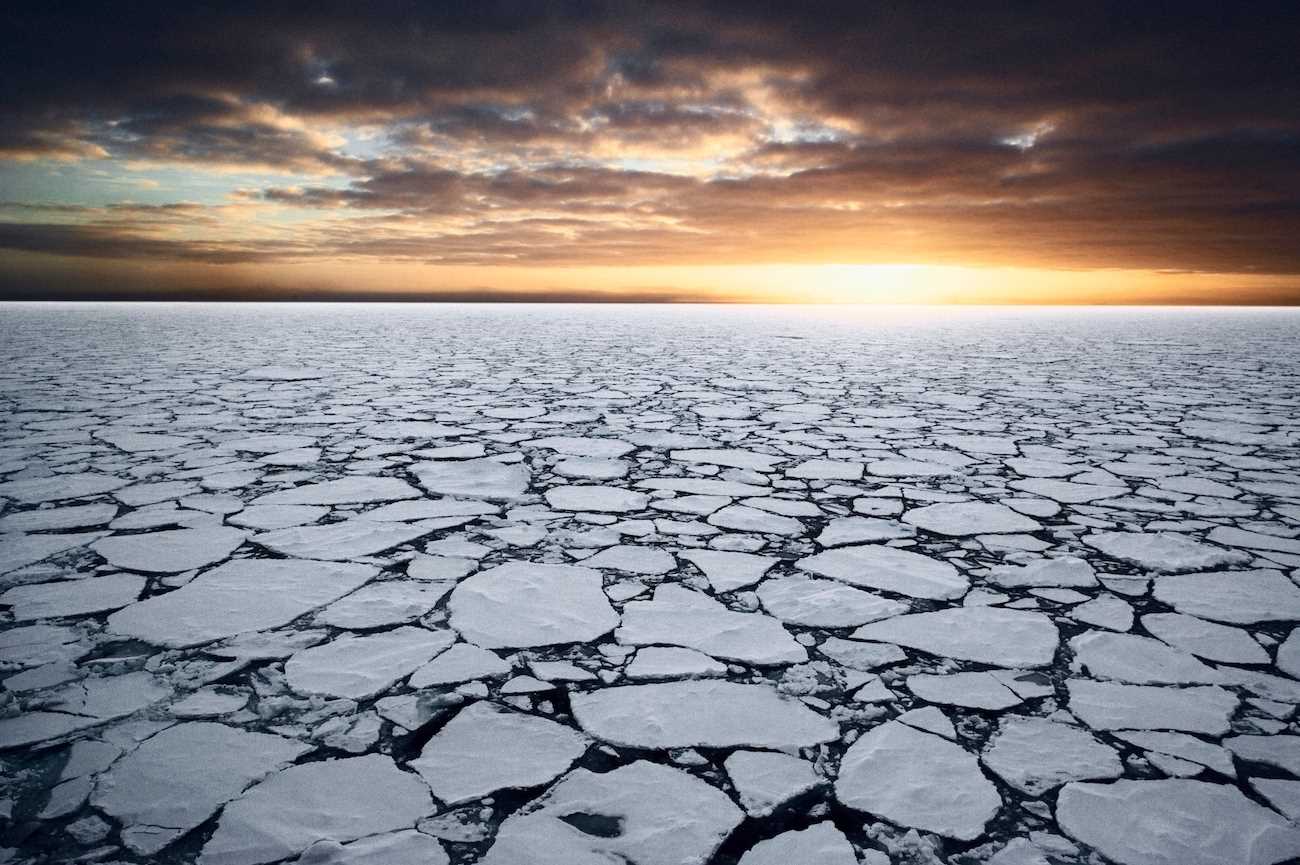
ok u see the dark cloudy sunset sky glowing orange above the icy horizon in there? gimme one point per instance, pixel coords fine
(1138, 153)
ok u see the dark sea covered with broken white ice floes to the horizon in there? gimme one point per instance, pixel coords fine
(652, 586)
